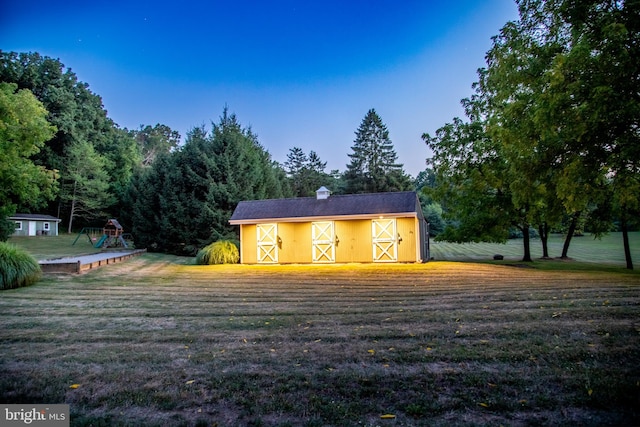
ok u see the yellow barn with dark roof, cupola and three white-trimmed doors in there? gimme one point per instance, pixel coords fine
(362, 228)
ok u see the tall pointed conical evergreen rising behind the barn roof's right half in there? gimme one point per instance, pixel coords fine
(373, 167)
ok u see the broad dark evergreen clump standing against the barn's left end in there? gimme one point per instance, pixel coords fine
(184, 200)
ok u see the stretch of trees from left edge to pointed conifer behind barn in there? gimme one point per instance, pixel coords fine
(63, 155)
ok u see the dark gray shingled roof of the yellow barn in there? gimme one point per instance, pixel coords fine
(372, 204)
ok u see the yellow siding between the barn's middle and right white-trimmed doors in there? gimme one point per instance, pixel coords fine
(354, 241)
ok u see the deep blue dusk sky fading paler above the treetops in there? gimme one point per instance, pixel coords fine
(300, 73)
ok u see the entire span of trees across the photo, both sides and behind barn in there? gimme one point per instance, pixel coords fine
(549, 142)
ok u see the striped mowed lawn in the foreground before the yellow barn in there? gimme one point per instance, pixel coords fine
(155, 341)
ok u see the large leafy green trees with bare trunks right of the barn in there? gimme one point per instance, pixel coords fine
(551, 138)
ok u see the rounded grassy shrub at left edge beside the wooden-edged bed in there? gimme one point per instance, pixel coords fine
(17, 267)
